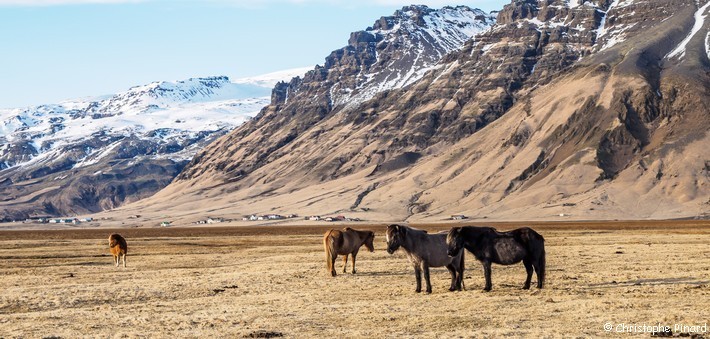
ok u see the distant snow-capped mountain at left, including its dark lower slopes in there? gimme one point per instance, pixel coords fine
(87, 155)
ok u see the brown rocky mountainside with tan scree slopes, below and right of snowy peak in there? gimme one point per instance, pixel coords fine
(582, 109)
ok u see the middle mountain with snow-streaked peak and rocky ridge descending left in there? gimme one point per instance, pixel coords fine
(392, 54)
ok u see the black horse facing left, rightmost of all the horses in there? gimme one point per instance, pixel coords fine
(505, 248)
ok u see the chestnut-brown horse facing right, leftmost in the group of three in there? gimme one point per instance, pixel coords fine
(347, 241)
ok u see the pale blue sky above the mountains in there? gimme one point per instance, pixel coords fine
(54, 50)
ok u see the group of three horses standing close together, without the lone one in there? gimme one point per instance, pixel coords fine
(446, 249)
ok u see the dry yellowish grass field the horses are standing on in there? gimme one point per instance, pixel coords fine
(272, 281)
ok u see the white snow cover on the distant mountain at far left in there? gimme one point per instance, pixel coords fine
(161, 111)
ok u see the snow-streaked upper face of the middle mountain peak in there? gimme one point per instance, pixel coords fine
(421, 35)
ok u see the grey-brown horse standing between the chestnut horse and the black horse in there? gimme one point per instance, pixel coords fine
(424, 251)
